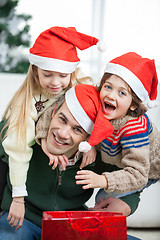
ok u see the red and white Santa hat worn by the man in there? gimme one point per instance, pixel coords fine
(84, 103)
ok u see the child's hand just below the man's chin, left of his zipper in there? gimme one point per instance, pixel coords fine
(58, 159)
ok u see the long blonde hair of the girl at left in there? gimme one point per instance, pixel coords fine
(16, 115)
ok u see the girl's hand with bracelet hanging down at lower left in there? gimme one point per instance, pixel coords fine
(16, 212)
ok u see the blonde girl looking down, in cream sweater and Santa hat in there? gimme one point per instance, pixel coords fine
(53, 62)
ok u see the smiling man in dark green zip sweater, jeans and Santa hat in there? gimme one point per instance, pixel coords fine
(50, 190)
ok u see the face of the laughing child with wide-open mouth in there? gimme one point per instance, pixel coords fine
(116, 98)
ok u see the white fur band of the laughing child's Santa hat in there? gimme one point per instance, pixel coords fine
(130, 78)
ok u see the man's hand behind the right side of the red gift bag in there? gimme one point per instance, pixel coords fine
(112, 205)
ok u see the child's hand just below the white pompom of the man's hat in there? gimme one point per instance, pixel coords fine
(88, 157)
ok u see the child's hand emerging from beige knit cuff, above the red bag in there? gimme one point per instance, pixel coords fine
(91, 179)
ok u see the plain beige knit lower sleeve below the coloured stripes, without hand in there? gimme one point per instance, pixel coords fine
(134, 175)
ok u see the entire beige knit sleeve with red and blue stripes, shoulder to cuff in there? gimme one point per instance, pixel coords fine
(131, 155)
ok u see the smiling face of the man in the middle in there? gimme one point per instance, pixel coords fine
(64, 133)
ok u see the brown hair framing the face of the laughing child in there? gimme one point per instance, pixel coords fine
(136, 102)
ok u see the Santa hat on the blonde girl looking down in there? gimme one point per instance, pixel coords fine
(55, 49)
